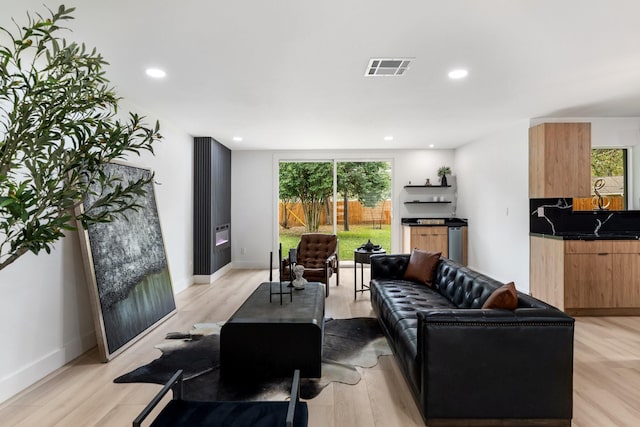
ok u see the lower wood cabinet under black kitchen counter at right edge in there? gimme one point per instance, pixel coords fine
(587, 277)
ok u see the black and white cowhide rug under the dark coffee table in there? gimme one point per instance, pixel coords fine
(348, 343)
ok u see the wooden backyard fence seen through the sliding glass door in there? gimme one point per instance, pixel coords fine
(358, 214)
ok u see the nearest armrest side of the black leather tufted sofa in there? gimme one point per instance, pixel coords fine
(496, 363)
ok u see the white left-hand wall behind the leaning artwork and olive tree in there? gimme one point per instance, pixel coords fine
(45, 316)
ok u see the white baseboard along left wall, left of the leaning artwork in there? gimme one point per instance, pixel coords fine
(33, 372)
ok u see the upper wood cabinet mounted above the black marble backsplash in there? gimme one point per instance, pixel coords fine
(560, 160)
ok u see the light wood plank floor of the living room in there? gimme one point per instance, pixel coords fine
(606, 376)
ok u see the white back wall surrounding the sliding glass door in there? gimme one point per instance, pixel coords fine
(254, 193)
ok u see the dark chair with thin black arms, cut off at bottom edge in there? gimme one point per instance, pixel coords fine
(179, 412)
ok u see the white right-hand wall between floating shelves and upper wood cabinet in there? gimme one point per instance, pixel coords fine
(492, 175)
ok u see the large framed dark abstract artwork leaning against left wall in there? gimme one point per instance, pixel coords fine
(126, 269)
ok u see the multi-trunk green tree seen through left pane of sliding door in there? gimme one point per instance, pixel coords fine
(309, 182)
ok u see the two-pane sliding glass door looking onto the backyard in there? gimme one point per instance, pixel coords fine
(350, 199)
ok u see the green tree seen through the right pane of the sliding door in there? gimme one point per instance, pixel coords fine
(368, 182)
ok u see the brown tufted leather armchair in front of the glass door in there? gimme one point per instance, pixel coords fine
(318, 253)
